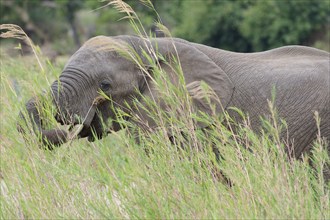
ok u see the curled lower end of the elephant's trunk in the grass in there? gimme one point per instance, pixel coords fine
(48, 137)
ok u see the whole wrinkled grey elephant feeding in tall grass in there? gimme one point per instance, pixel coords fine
(300, 76)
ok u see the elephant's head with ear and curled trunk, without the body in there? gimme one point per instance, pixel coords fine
(100, 67)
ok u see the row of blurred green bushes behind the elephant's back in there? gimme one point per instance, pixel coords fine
(250, 25)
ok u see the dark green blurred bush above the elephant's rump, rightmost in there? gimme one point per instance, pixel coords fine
(289, 22)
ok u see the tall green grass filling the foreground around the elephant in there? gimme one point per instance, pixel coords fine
(118, 177)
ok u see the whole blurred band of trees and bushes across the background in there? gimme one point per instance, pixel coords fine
(242, 25)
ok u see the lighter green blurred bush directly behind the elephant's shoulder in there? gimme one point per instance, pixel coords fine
(214, 23)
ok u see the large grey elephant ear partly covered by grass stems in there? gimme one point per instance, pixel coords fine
(208, 85)
